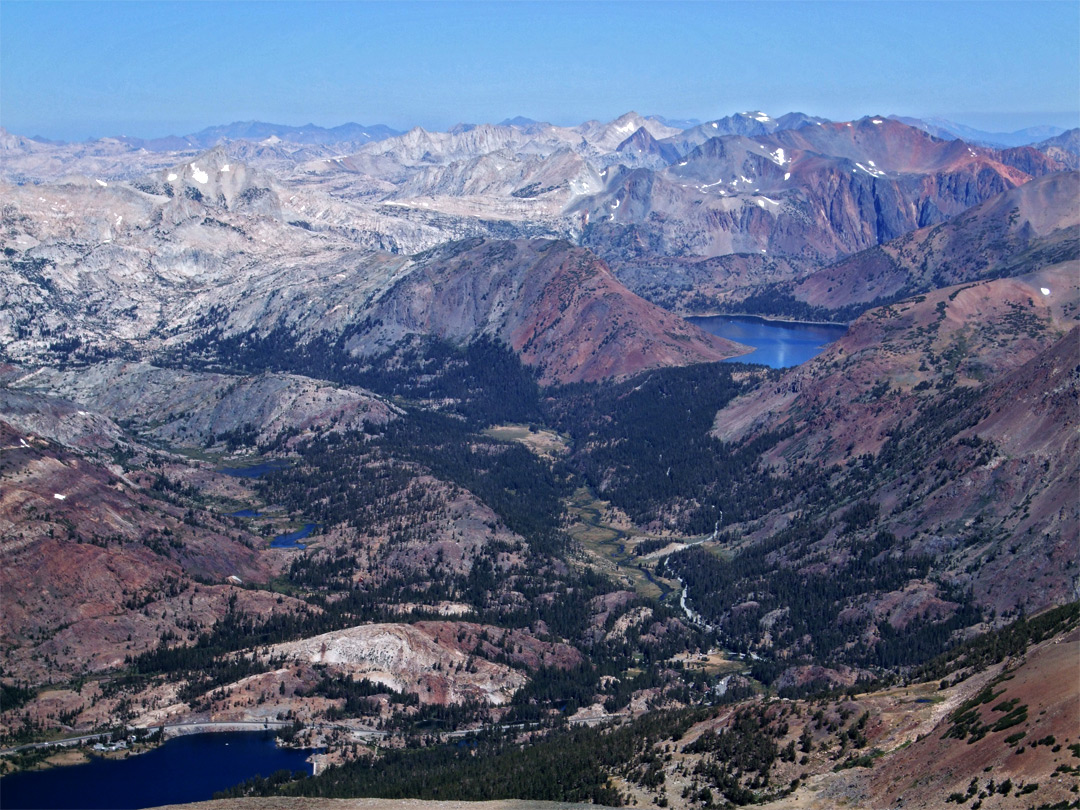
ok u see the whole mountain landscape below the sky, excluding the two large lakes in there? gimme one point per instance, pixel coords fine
(383, 439)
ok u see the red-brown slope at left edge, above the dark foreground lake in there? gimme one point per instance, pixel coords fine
(96, 569)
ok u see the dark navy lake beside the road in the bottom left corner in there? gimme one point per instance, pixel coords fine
(184, 769)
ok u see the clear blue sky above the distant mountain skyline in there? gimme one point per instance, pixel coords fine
(88, 70)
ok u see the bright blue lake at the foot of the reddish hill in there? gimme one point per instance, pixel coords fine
(777, 344)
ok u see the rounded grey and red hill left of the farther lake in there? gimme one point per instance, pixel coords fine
(558, 306)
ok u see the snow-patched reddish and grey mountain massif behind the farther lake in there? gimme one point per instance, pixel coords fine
(817, 194)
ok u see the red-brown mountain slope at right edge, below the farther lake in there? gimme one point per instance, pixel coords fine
(957, 411)
